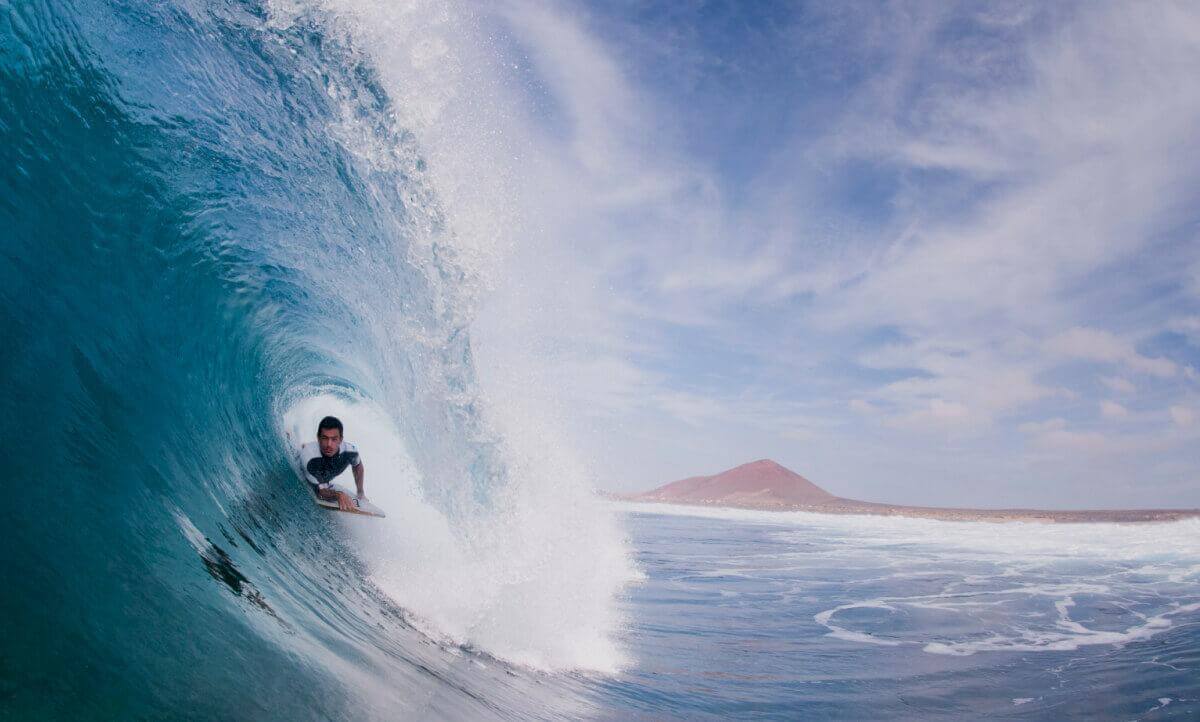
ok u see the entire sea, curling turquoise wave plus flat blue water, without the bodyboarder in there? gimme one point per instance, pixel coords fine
(225, 221)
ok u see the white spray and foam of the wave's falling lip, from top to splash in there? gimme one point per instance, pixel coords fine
(532, 574)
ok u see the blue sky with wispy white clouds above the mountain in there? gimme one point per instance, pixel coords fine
(919, 252)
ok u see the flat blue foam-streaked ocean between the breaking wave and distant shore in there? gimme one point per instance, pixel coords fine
(794, 616)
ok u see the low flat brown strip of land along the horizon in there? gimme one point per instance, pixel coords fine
(1039, 516)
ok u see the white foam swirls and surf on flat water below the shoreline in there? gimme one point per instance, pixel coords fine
(1010, 587)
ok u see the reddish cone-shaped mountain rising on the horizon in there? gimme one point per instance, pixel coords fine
(758, 484)
